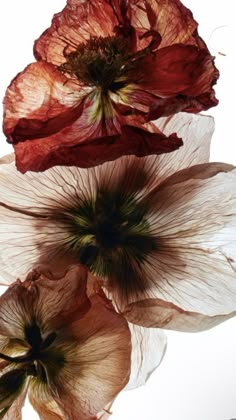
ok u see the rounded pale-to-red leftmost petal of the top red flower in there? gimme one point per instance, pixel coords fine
(46, 103)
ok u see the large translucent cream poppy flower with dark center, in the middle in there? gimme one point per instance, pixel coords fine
(159, 232)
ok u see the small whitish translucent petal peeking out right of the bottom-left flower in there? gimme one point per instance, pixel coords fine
(148, 350)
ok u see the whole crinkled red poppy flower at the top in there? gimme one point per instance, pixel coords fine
(104, 71)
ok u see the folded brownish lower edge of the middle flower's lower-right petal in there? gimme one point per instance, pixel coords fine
(161, 314)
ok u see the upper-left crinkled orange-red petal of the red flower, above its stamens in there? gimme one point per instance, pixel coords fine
(77, 22)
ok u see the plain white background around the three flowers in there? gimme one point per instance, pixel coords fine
(197, 379)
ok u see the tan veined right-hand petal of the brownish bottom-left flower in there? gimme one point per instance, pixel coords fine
(99, 368)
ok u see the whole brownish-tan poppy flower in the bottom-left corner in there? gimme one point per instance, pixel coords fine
(70, 354)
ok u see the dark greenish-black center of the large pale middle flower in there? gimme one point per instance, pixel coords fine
(111, 234)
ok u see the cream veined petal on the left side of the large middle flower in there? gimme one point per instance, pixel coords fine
(25, 239)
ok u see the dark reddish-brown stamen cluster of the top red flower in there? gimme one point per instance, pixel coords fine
(99, 62)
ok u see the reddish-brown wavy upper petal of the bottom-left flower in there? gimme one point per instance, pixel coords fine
(54, 303)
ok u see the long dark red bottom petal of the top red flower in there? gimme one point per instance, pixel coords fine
(39, 155)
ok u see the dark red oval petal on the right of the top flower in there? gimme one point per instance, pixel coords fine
(177, 70)
